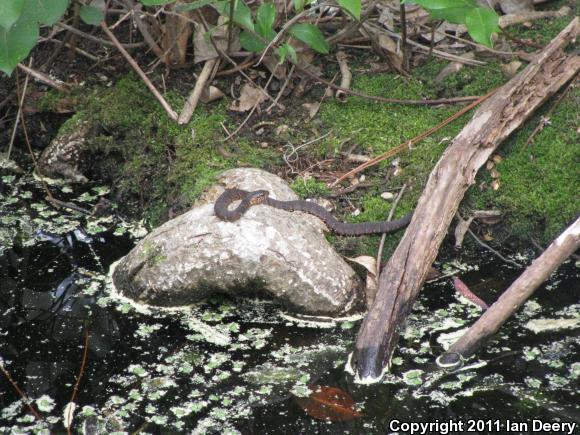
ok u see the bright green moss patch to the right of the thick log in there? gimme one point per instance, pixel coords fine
(538, 182)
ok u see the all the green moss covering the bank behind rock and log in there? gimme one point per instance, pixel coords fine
(166, 166)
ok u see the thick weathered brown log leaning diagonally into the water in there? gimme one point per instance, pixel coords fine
(494, 121)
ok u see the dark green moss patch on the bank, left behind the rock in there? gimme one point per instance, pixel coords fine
(152, 161)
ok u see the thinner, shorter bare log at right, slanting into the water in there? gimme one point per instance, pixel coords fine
(520, 290)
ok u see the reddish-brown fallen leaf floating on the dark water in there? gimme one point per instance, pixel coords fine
(329, 403)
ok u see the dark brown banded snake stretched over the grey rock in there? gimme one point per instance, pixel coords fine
(248, 199)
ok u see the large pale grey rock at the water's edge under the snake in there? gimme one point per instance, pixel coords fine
(282, 253)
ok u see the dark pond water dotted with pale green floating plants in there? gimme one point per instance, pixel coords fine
(234, 366)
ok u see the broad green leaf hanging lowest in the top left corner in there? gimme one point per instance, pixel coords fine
(16, 43)
